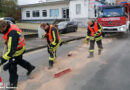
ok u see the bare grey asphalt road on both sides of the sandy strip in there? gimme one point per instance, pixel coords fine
(112, 74)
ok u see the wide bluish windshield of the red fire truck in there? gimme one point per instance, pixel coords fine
(112, 12)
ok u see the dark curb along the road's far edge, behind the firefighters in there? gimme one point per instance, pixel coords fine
(41, 47)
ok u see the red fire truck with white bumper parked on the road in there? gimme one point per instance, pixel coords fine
(114, 18)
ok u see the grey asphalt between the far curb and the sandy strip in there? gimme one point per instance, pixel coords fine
(40, 59)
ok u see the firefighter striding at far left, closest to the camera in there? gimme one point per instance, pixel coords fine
(15, 43)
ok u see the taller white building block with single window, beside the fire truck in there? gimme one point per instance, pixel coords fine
(82, 10)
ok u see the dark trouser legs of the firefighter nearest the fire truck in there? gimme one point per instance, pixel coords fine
(92, 43)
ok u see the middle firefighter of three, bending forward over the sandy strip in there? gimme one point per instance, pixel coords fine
(53, 40)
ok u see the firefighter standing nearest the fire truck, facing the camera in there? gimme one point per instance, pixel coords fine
(94, 34)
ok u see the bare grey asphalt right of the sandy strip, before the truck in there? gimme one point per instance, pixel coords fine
(112, 74)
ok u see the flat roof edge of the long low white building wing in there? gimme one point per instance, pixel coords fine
(44, 3)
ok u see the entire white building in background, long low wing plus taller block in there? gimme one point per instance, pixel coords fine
(49, 10)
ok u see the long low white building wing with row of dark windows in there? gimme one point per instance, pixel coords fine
(47, 11)
